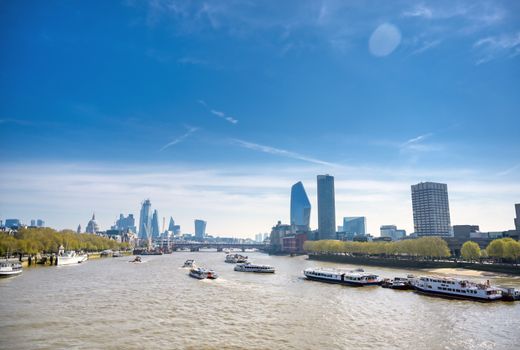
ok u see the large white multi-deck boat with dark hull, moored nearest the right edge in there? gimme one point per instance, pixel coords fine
(456, 288)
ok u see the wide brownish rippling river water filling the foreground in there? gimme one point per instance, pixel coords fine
(113, 304)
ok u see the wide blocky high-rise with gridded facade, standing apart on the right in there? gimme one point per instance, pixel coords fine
(431, 212)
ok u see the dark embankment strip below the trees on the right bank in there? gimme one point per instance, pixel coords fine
(416, 264)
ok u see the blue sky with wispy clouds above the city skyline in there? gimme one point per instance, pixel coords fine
(214, 109)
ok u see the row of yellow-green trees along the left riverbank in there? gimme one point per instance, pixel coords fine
(46, 240)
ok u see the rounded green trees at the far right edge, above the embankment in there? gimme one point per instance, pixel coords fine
(500, 249)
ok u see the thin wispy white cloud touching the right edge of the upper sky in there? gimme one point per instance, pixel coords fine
(494, 47)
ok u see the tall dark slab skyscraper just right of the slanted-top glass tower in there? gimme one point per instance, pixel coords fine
(326, 207)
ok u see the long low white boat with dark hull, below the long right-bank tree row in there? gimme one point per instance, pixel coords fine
(350, 278)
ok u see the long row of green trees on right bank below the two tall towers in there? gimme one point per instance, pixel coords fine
(433, 247)
